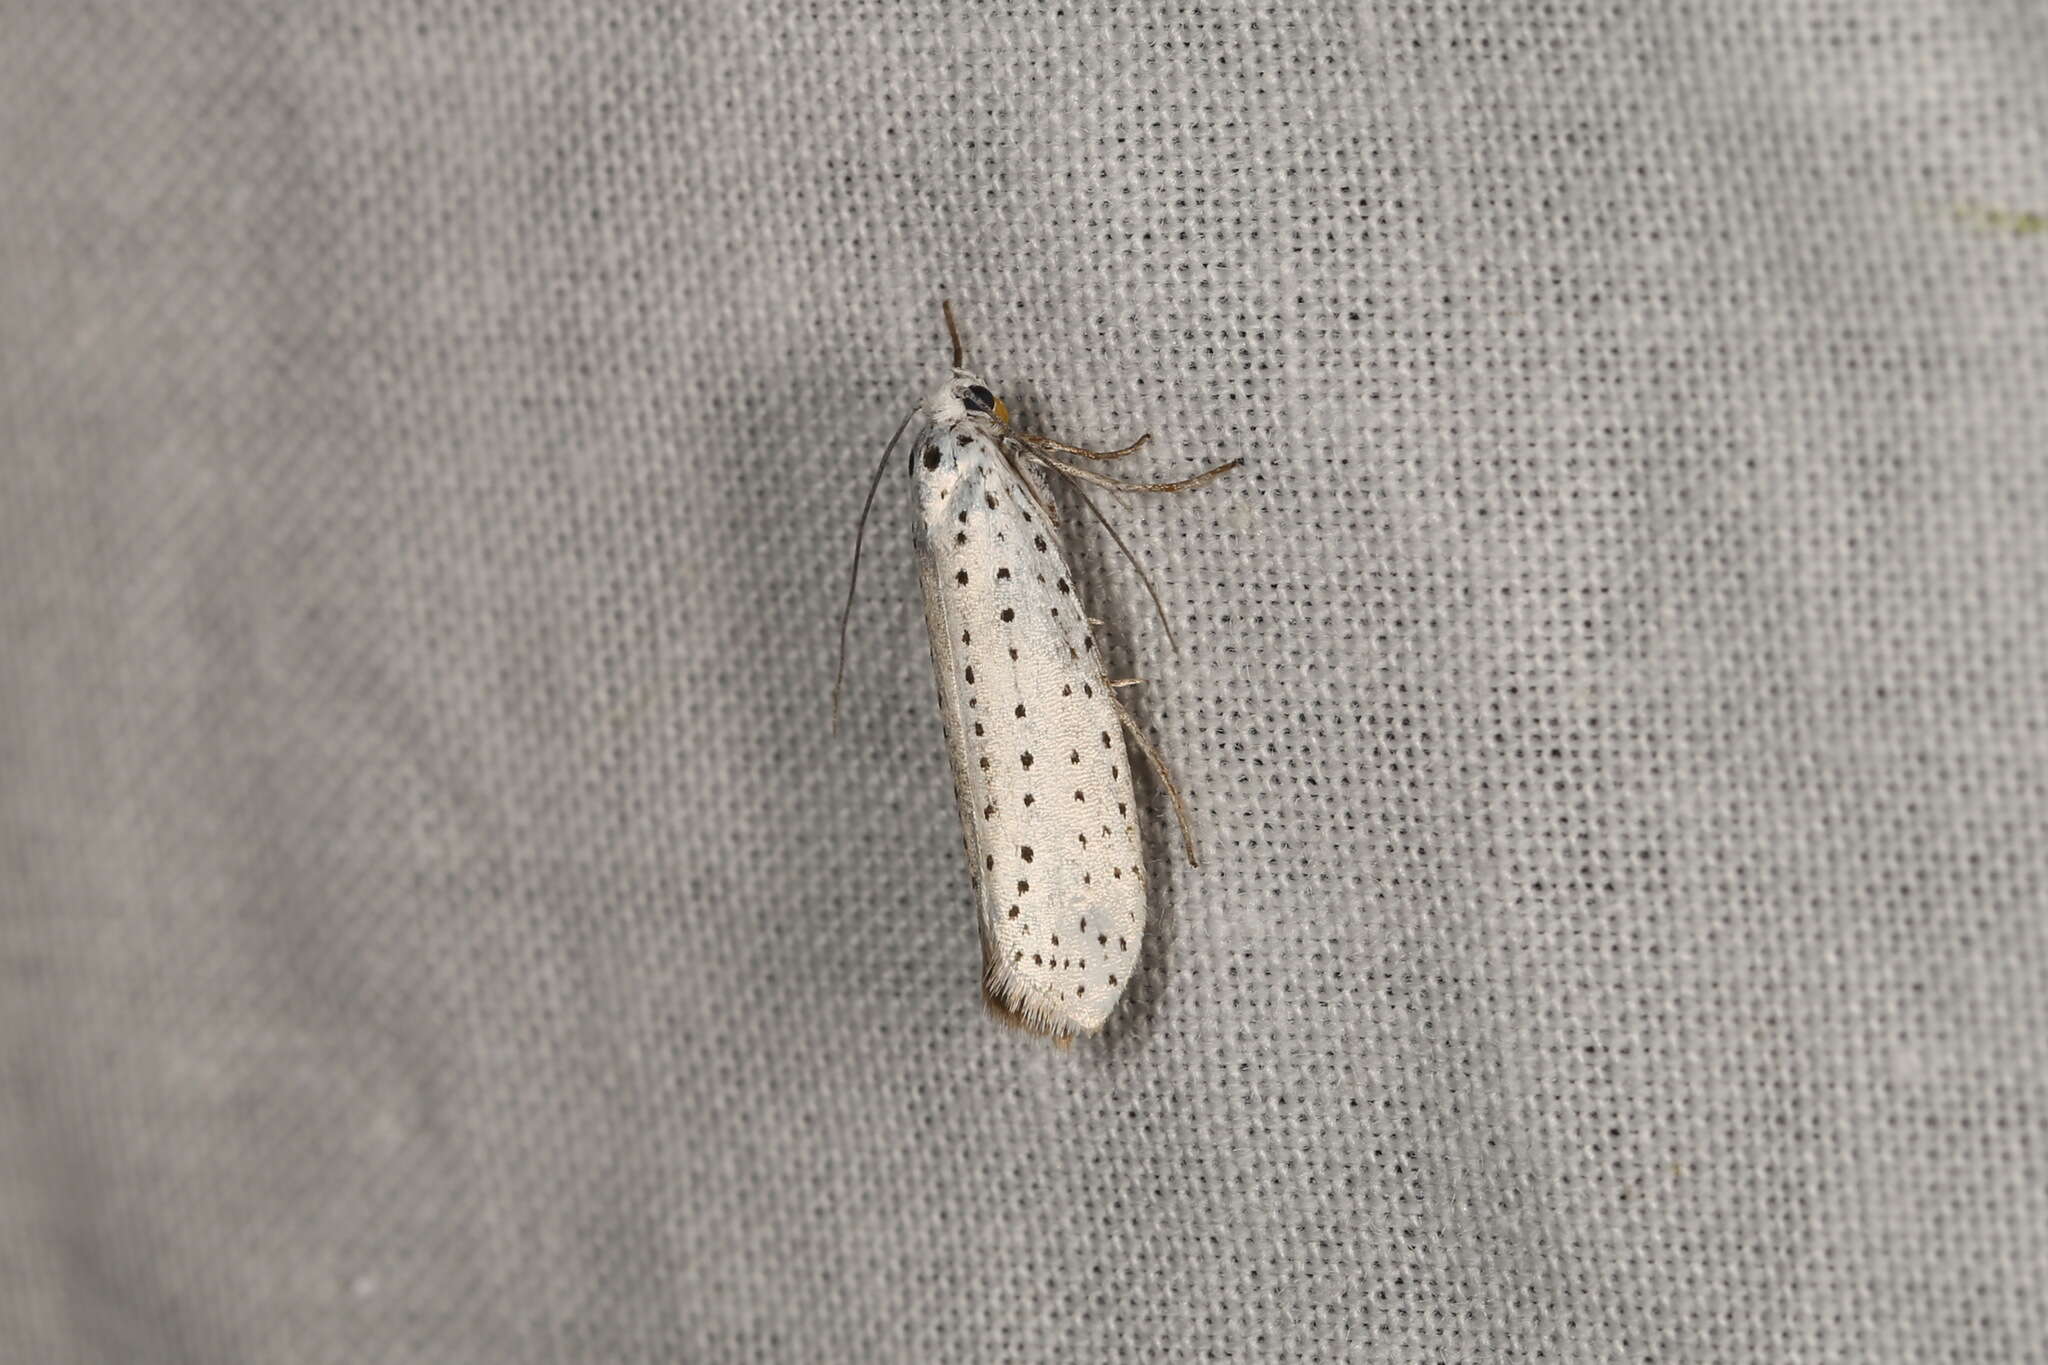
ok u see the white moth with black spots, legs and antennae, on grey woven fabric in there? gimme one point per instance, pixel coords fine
(1031, 717)
